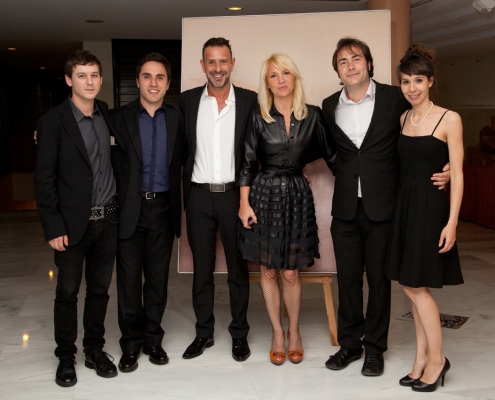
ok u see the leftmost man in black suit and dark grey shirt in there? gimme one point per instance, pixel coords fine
(75, 194)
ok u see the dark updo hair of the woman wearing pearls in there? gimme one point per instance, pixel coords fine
(417, 61)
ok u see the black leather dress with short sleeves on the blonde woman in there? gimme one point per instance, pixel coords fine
(286, 233)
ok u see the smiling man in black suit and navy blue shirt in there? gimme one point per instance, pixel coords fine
(147, 163)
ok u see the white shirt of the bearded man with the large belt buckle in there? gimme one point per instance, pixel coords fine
(215, 134)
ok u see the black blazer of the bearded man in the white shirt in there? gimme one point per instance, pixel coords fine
(245, 102)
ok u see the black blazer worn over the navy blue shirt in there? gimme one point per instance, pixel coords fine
(128, 163)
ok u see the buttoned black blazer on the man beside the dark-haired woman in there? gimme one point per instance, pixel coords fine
(375, 162)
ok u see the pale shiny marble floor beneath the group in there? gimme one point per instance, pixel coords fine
(27, 363)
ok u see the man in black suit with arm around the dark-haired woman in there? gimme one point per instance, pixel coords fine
(364, 121)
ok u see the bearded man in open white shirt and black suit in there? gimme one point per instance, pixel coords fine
(215, 118)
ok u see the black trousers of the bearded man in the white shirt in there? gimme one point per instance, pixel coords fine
(206, 213)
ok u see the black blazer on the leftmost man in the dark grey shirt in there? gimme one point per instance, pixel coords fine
(63, 179)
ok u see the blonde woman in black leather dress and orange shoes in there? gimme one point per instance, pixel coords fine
(278, 228)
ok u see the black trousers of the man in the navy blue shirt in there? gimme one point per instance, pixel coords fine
(148, 252)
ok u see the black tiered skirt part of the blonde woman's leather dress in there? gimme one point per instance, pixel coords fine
(286, 235)
